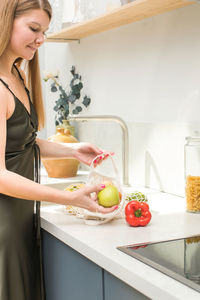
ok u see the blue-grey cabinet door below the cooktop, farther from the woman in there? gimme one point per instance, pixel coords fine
(115, 289)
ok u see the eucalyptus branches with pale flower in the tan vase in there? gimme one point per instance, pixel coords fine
(69, 102)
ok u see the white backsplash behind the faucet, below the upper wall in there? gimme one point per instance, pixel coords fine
(156, 151)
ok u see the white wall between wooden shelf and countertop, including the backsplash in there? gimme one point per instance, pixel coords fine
(148, 73)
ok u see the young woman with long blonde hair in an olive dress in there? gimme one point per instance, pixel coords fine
(23, 24)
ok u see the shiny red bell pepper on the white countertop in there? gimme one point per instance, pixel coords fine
(137, 213)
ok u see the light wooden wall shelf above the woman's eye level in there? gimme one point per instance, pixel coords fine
(129, 13)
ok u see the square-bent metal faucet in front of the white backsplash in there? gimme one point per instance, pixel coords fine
(125, 144)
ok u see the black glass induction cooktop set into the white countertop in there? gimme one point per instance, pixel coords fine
(179, 258)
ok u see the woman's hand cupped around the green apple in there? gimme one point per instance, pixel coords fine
(86, 197)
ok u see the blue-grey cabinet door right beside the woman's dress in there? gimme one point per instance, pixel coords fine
(68, 274)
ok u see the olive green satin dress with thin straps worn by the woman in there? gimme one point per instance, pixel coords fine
(20, 244)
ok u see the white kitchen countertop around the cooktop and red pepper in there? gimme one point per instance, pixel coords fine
(98, 243)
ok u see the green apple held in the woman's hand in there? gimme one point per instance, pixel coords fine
(109, 196)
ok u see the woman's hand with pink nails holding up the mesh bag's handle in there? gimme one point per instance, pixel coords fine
(86, 153)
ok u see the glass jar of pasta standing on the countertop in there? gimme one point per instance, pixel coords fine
(192, 174)
